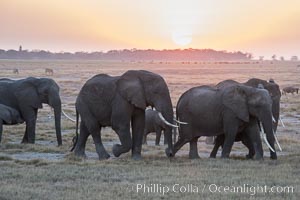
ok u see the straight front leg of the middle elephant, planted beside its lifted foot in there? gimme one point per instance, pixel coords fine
(138, 125)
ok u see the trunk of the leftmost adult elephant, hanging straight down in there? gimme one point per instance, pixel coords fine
(55, 103)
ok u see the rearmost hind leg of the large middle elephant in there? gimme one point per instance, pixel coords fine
(80, 146)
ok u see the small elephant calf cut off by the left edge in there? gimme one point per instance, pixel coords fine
(8, 116)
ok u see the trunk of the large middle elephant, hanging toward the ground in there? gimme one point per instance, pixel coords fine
(166, 111)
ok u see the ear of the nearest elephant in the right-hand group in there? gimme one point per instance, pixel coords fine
(235, 99)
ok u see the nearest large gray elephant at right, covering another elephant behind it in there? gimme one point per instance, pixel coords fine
(211, 112)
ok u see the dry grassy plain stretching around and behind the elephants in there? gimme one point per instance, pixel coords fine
(45, 171)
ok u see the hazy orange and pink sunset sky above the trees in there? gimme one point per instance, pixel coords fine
(263, 27)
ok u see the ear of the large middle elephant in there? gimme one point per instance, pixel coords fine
(131, 88)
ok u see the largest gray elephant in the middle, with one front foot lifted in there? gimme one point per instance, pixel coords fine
(120, 102)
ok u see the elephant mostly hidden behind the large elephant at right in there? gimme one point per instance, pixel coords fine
(274, 91)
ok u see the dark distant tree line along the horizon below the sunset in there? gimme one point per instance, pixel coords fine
(131, 55)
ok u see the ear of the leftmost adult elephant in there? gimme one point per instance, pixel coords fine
(27, 94)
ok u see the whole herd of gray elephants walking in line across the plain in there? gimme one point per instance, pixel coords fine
(230, 110)
